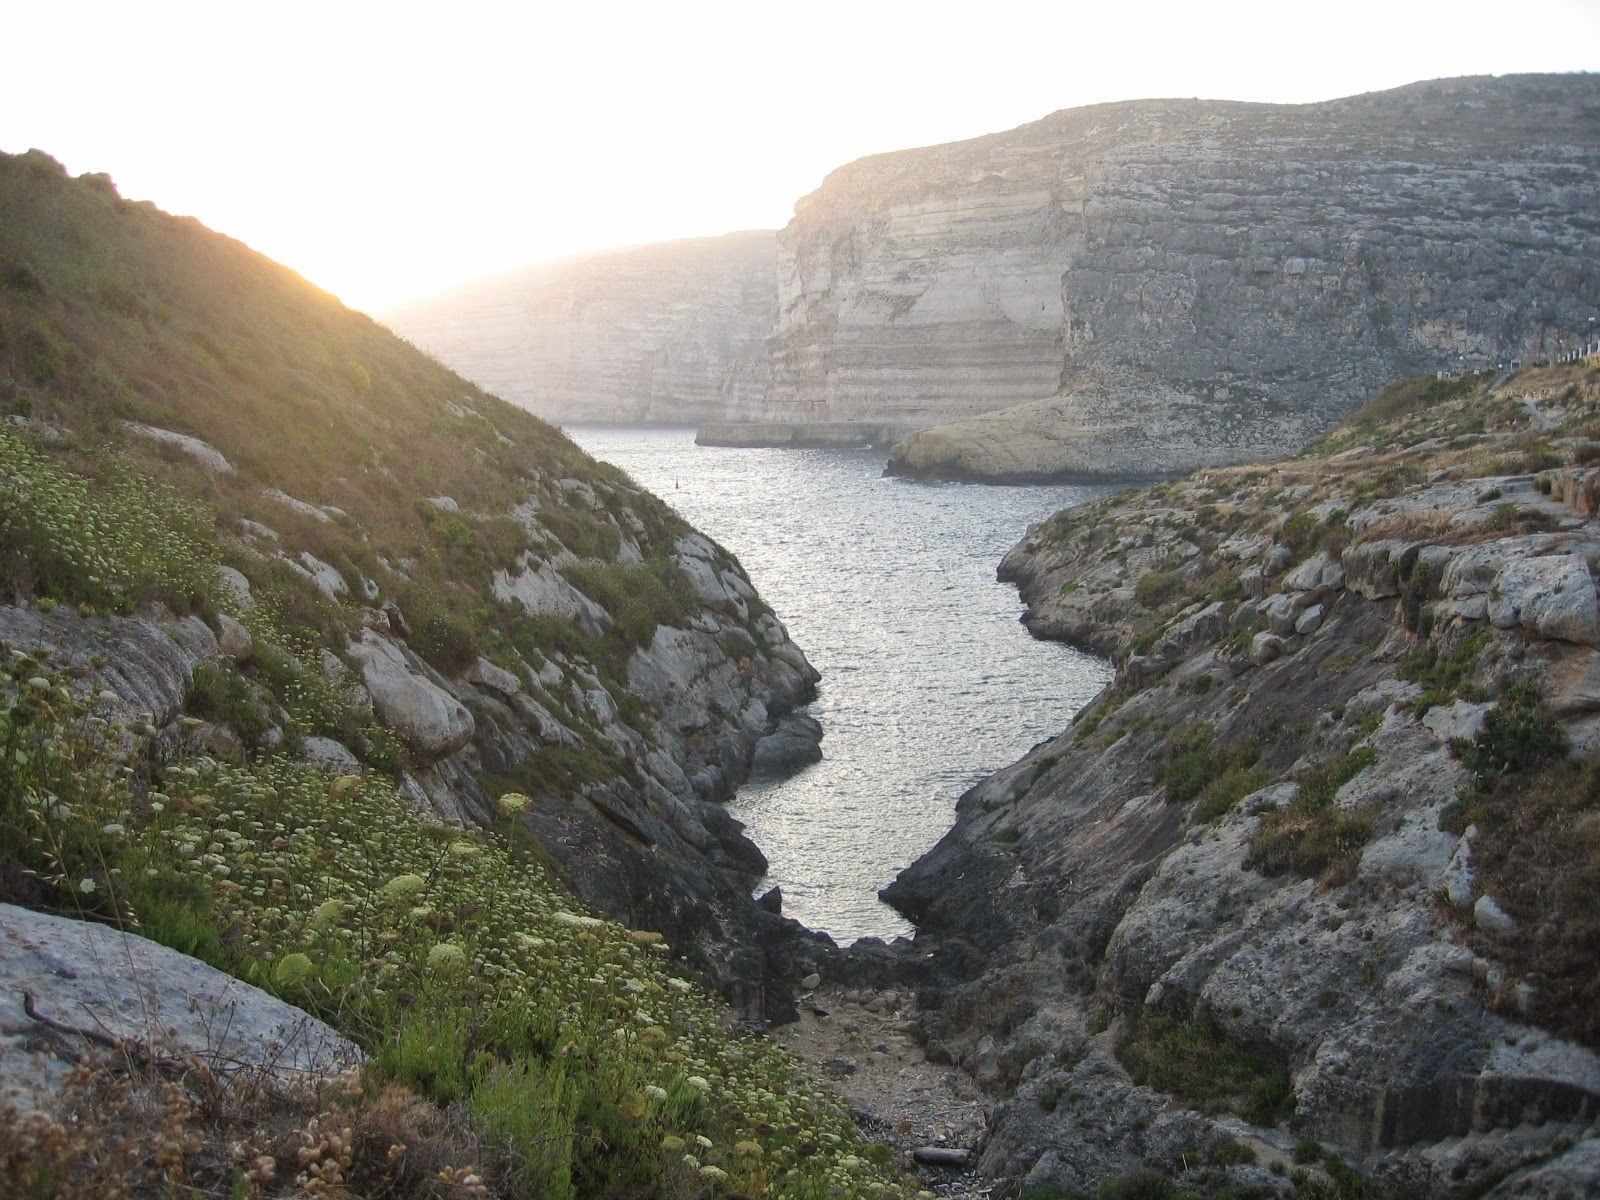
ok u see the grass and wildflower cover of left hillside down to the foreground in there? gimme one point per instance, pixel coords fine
(518, 1046)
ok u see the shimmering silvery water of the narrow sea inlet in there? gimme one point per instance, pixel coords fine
(929, 679)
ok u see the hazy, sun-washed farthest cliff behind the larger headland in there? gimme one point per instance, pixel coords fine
(671, 334)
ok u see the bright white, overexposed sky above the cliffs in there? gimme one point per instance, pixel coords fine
(388, 151)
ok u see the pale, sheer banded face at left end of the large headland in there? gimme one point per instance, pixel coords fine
(918, 305)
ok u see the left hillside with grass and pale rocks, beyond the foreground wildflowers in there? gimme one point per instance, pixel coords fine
(433, 578)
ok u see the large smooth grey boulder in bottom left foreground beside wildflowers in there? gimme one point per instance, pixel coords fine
(90, 977)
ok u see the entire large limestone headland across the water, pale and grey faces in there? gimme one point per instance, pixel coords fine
(1242, 273)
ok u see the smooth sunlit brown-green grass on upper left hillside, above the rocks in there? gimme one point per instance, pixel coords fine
(113, 313)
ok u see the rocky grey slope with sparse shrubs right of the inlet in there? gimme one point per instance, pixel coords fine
(1308, 900)
